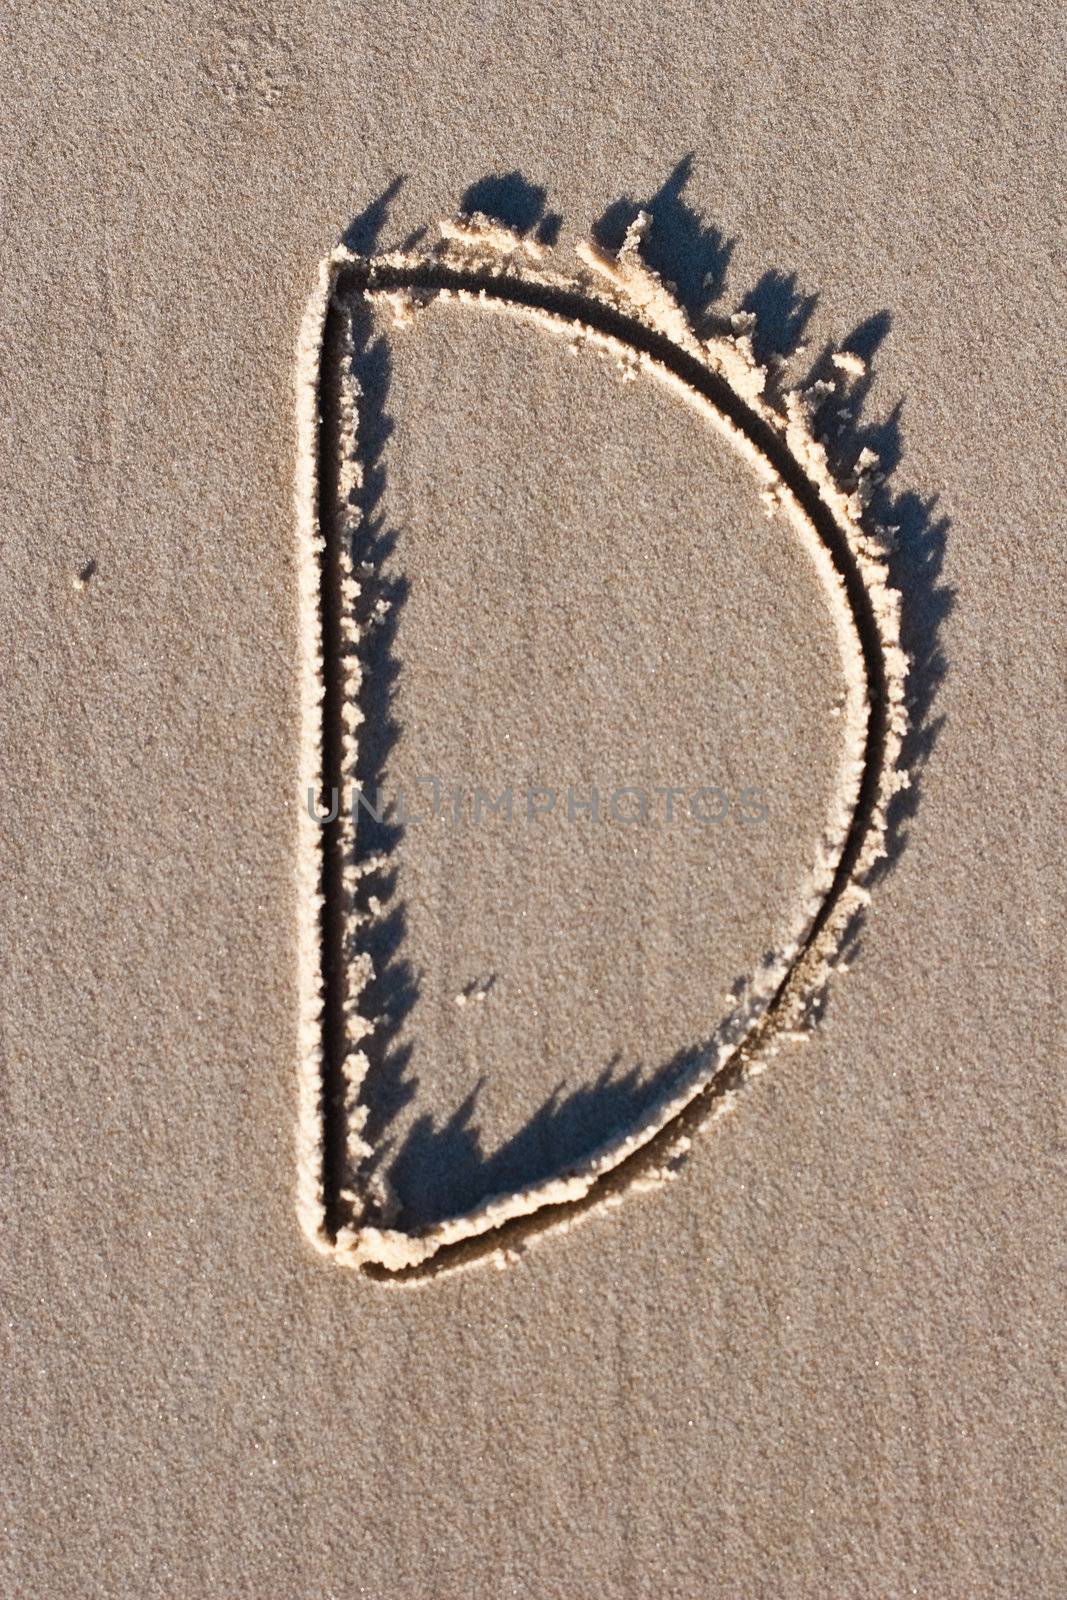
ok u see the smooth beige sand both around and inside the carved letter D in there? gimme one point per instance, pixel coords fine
(823, 1359)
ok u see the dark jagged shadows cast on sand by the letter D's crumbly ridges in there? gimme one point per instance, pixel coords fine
(441, 1167)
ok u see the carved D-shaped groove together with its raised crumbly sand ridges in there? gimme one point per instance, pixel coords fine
(613, 303)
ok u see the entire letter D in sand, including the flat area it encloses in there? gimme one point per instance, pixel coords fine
(369, 716)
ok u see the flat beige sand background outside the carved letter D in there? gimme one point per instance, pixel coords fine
(828, 1359)
